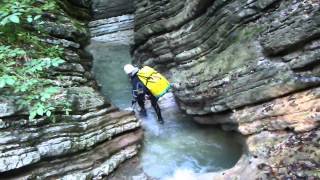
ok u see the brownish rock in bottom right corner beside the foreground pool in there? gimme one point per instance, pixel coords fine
(277, 155)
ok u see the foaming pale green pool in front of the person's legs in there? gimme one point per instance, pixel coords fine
(179, 146)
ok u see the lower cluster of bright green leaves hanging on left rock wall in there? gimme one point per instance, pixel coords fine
(27, 79)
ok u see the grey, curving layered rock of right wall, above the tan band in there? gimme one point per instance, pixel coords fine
(231, 54)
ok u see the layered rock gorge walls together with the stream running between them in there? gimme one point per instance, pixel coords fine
(244, 102)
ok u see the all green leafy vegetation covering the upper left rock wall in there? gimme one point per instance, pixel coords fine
(26, 61)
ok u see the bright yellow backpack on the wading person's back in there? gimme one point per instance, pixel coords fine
(157, 84)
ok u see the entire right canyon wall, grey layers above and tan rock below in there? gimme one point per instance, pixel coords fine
(252, 66)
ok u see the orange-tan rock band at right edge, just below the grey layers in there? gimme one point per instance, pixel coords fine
(299, 112)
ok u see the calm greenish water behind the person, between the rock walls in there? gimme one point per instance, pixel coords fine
(108, 70)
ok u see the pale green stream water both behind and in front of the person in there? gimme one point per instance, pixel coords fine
(179, 143)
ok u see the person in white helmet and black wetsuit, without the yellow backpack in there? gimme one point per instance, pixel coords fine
(139, 90)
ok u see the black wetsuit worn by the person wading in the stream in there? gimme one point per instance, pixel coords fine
(139, 91)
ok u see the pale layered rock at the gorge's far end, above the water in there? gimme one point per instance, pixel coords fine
(115, 29)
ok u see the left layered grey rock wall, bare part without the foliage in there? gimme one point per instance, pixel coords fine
(90, 142)
